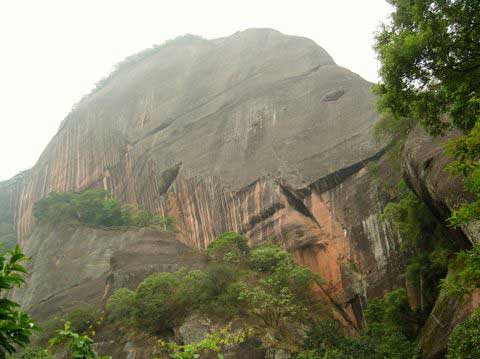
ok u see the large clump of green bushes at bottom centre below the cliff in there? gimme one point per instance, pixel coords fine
(268, 294)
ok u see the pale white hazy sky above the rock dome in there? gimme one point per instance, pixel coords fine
(52, 52)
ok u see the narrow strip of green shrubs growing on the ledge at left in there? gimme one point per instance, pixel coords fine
(94, 207)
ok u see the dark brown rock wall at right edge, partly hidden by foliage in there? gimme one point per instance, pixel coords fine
(424, 167)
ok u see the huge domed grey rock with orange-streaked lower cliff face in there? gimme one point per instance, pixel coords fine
(259, 133)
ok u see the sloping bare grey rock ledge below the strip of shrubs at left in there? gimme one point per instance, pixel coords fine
(75, 265)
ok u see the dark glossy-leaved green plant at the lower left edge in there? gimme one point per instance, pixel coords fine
(15, 325)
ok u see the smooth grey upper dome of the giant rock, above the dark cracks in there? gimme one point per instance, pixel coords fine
(219, 114)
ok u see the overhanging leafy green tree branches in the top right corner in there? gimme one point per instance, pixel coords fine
(430, 63)
